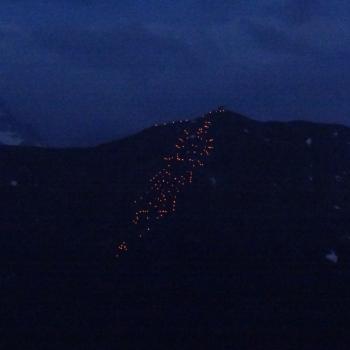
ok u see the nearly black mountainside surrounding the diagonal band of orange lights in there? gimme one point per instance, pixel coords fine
(255, 257)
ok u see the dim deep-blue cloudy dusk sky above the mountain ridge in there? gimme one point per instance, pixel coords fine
(85, 71)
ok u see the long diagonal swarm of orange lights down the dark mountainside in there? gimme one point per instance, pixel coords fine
(160, 200)
